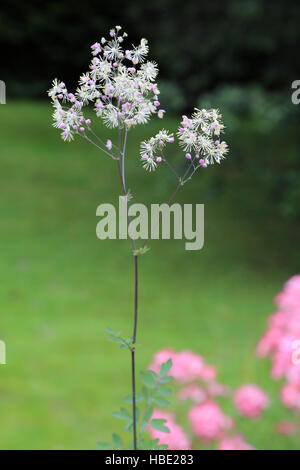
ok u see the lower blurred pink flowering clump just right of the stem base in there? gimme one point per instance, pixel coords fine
(209, 425)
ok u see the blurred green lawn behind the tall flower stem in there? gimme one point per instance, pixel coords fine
(61, 286)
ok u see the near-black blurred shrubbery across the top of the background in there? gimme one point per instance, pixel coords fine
(198, 45)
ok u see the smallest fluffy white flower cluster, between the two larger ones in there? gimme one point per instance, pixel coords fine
(152, 149)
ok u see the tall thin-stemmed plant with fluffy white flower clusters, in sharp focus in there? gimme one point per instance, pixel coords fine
(120, 84)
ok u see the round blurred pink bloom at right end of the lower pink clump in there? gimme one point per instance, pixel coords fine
(250, 400)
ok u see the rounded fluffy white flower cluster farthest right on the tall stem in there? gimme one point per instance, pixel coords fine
(197, 134)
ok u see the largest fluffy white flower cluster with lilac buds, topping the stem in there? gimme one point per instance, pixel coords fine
(119, 83)
